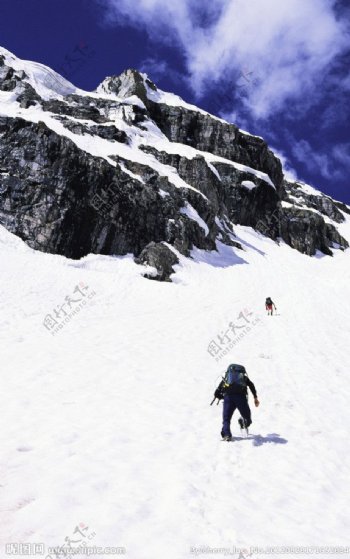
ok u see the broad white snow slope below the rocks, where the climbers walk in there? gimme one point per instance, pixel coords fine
(107, 423)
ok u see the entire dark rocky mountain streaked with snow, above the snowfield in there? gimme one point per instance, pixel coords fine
(131, 169)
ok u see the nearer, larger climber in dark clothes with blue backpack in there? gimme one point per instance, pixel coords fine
(233, 390)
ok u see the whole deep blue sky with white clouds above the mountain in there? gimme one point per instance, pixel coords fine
(279, 69)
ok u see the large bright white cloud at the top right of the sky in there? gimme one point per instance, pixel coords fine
(288, 45)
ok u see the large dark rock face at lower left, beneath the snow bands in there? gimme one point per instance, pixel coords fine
(60, 199)
